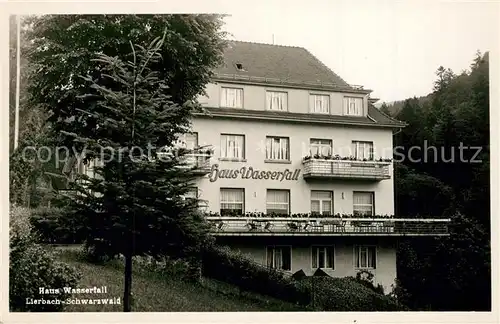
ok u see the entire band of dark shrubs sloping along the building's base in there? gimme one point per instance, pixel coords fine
(319, 292)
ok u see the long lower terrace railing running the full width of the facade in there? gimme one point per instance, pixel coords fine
(324, 226)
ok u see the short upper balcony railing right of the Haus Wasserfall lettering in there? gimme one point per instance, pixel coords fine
(346, 169)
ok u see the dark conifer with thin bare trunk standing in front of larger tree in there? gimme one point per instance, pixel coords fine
(134, 204)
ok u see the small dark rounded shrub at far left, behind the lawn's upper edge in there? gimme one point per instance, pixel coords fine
(57, 226)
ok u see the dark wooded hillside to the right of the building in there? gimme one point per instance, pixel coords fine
(451, 273)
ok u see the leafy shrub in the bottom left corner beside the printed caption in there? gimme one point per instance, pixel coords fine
(33, 267)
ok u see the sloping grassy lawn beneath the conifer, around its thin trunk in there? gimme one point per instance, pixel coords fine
(155, 293)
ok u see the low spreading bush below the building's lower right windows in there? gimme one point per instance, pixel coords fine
(347, 294)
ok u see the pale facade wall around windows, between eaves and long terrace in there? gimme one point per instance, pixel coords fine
(209, 132)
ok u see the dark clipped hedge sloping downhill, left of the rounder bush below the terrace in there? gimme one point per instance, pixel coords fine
(232, 267)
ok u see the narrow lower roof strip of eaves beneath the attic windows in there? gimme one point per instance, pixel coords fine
(375, 117)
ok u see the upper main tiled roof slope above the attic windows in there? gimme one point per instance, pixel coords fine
(284, 63)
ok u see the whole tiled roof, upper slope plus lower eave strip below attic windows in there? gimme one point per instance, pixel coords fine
(292, 66)
